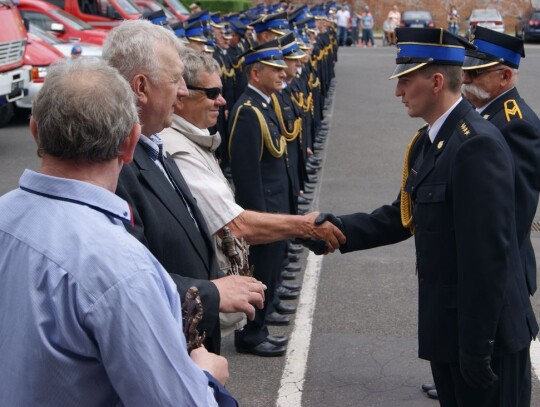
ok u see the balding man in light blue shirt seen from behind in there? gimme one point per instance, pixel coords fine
(89, 317)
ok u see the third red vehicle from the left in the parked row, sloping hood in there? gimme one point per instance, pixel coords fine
(49, 17)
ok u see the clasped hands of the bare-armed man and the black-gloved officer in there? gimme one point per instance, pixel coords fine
(321, 241)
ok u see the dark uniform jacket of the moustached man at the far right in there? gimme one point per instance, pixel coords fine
(520, 127)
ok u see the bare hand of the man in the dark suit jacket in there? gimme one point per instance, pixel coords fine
(240, 294)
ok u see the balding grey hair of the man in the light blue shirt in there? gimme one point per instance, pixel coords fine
(84, 119)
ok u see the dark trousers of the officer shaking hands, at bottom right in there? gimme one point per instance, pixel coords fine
(512, 389)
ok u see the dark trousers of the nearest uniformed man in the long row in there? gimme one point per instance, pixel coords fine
(266, 260)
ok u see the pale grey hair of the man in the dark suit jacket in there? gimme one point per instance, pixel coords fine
(131, 48)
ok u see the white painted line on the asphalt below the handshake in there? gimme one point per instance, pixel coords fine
(292, 380)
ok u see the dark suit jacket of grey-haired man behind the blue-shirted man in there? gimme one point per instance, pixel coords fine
(164, 225)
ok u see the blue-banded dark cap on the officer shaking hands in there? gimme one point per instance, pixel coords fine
(417, 47)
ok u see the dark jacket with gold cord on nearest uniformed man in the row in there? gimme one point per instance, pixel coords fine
(261, 180)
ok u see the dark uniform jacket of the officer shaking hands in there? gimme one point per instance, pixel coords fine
(472, 292)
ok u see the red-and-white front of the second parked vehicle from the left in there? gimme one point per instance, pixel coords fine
(38, 55)
